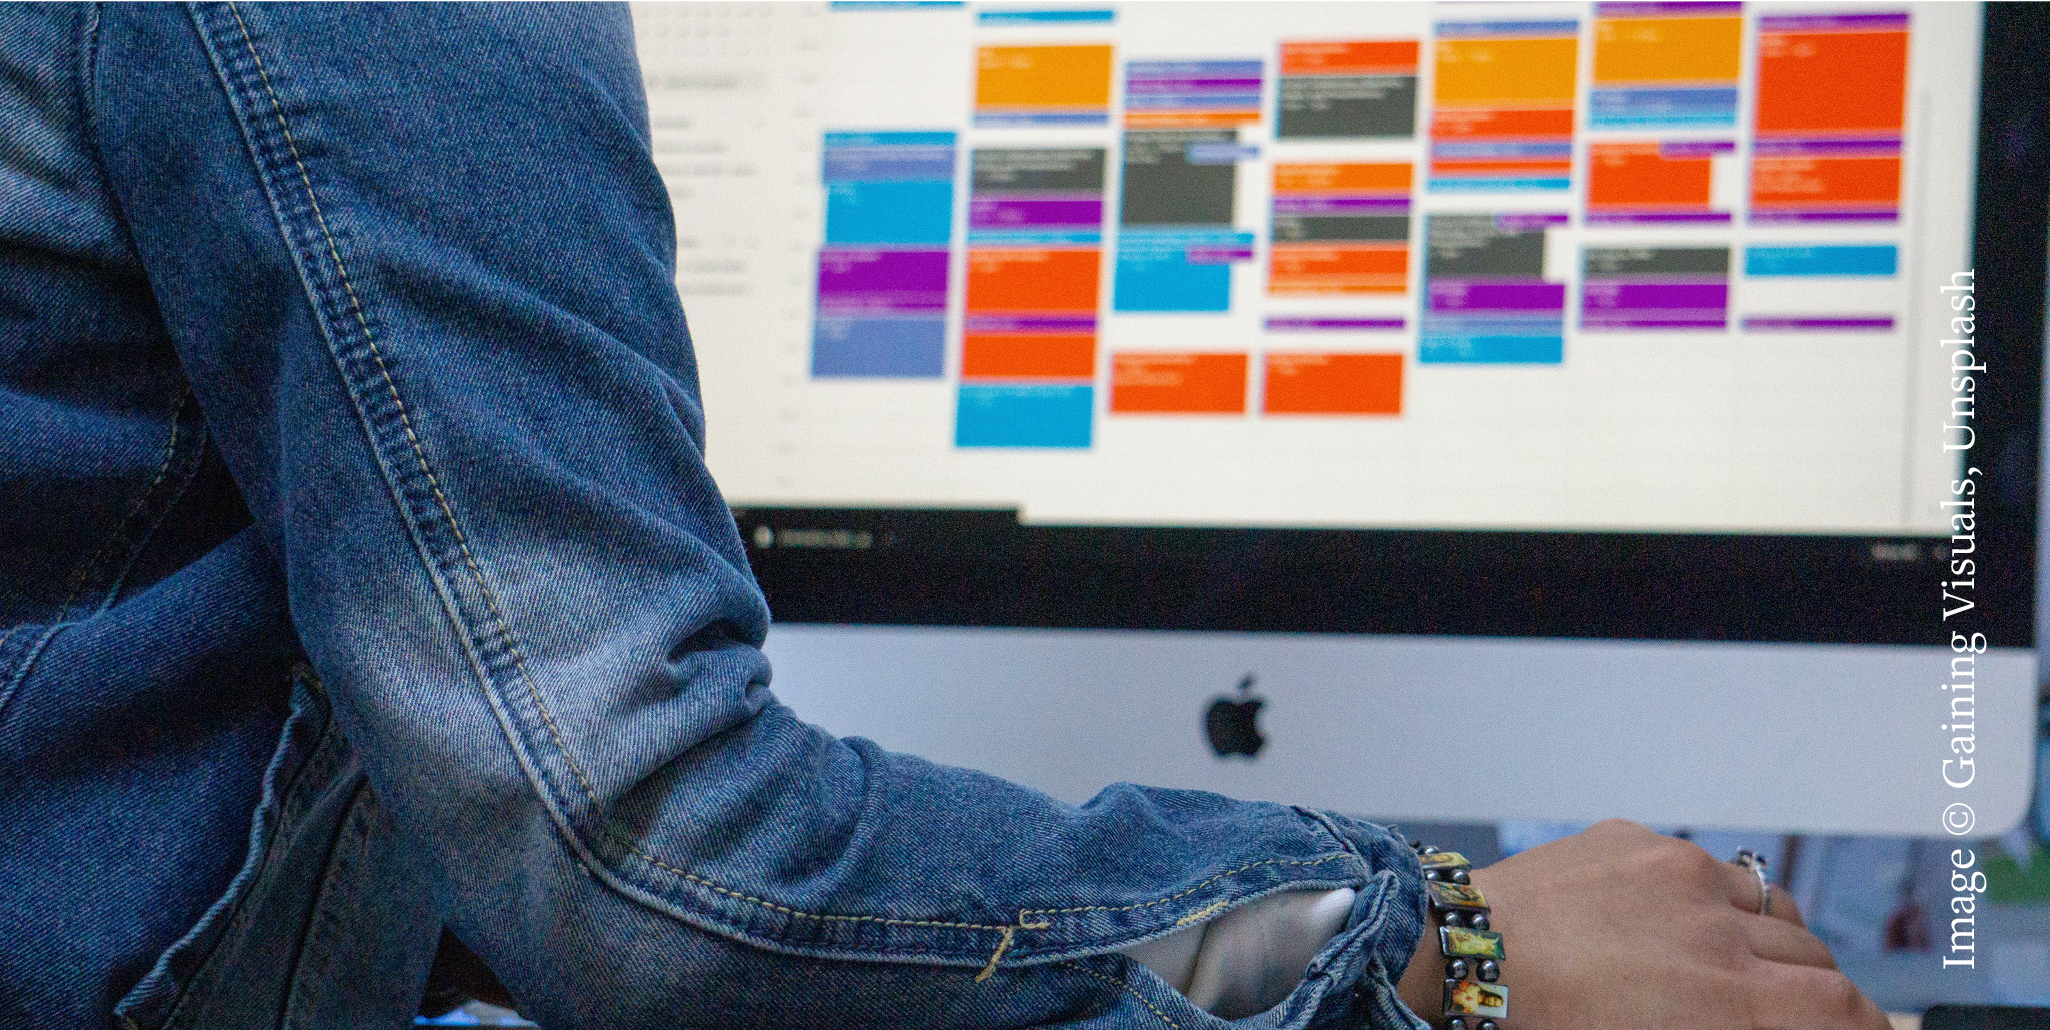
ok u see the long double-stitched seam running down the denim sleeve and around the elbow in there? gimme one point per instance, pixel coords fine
(501, 631)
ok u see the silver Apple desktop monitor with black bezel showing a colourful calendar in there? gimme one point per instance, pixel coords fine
(1450, 411)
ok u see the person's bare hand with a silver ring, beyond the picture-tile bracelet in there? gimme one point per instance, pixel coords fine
(1621, 928)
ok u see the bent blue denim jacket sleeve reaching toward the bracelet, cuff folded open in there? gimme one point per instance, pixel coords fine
(419, 268)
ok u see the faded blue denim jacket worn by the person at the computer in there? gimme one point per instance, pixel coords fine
(345, 340)
